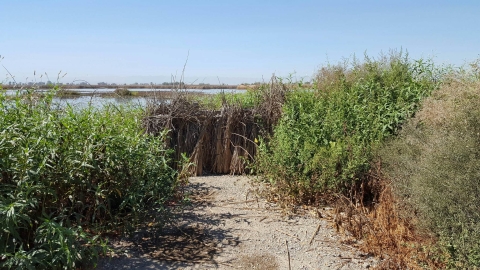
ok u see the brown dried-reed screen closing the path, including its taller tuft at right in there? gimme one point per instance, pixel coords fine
(220, 140)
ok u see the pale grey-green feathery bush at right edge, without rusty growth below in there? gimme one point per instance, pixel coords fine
(434, 166)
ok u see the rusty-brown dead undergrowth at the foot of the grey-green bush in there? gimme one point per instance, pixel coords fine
(383, 229)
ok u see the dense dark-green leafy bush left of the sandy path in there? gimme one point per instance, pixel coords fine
(69, 175)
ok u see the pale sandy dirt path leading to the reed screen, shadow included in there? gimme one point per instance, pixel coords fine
(228, 226)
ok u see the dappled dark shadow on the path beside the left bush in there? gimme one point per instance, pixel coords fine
(193, 238)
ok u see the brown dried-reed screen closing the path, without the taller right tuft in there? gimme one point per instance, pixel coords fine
(216, 141)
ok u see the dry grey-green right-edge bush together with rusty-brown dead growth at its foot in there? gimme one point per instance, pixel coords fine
(418, 205)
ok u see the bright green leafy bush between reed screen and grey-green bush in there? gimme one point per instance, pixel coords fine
(326, 136)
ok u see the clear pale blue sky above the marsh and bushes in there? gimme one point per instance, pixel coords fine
(225, 41)
